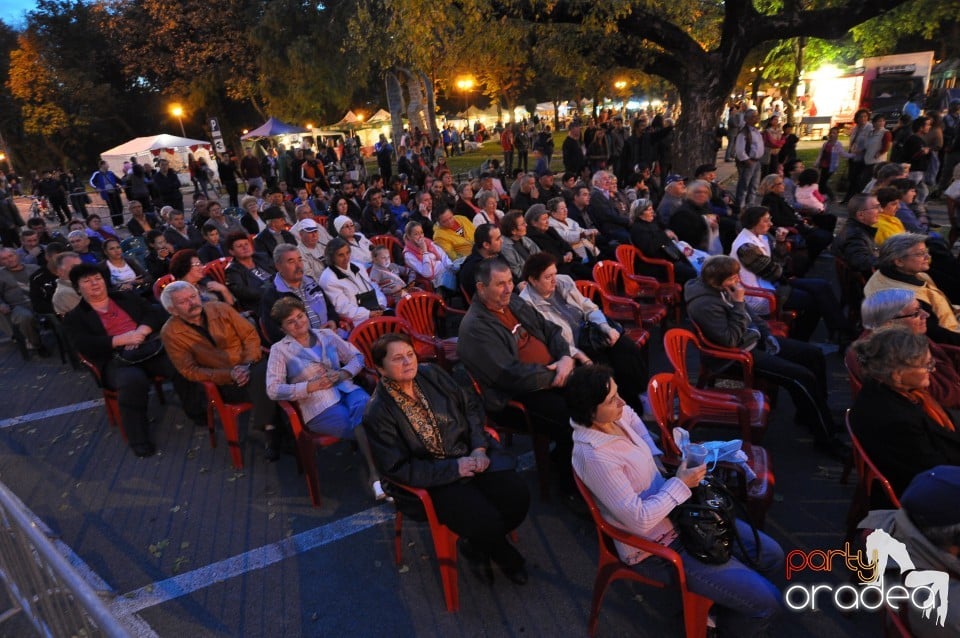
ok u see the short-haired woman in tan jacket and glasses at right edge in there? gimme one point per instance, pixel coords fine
(903, 263)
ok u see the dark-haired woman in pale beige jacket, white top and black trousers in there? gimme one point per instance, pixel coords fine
(556, 298)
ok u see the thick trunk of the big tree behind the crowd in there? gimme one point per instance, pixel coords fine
(694, 141)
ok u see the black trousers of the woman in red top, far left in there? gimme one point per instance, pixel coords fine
(133, 382)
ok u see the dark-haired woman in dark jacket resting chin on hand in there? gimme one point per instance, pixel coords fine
(716, 304)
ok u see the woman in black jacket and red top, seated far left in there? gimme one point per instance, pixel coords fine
(105, 323)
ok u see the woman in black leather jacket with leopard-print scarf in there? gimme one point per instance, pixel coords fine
(425, 432)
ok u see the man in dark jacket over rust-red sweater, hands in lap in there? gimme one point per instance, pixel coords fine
(514, 353)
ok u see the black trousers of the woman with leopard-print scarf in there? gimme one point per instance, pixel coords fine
(484, 509)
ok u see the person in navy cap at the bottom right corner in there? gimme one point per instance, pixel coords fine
(927, 526)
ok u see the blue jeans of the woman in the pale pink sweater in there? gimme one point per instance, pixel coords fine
(746, 600)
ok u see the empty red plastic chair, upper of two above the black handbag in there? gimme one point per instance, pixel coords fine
(746, 409)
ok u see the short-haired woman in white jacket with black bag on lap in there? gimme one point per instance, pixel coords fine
(348, 286)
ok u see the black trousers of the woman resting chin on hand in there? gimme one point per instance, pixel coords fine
(801, 370)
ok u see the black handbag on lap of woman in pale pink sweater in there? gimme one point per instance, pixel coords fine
(706, 524)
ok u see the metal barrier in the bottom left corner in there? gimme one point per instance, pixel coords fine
(53, 596)
